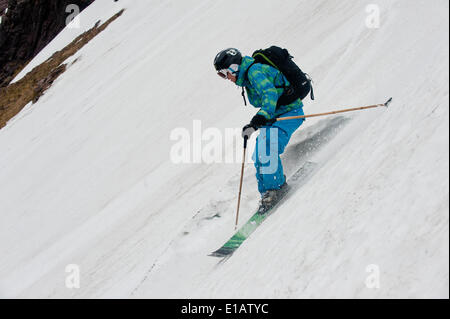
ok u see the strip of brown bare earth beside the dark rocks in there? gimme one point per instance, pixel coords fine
(14, 97)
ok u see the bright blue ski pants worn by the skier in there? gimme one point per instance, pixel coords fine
(270, 144)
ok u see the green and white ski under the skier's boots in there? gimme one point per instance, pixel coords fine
(294, 182)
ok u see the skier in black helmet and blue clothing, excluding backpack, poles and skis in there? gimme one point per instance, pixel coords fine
(264, 85)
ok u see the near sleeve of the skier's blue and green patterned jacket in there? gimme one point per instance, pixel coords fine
(266, 91)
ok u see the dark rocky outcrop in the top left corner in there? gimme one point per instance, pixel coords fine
(27, 28)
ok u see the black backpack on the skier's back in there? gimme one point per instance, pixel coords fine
(300, 82)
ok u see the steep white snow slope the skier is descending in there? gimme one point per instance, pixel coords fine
(87, 178)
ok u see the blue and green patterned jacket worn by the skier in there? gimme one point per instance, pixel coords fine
(264, 85)
